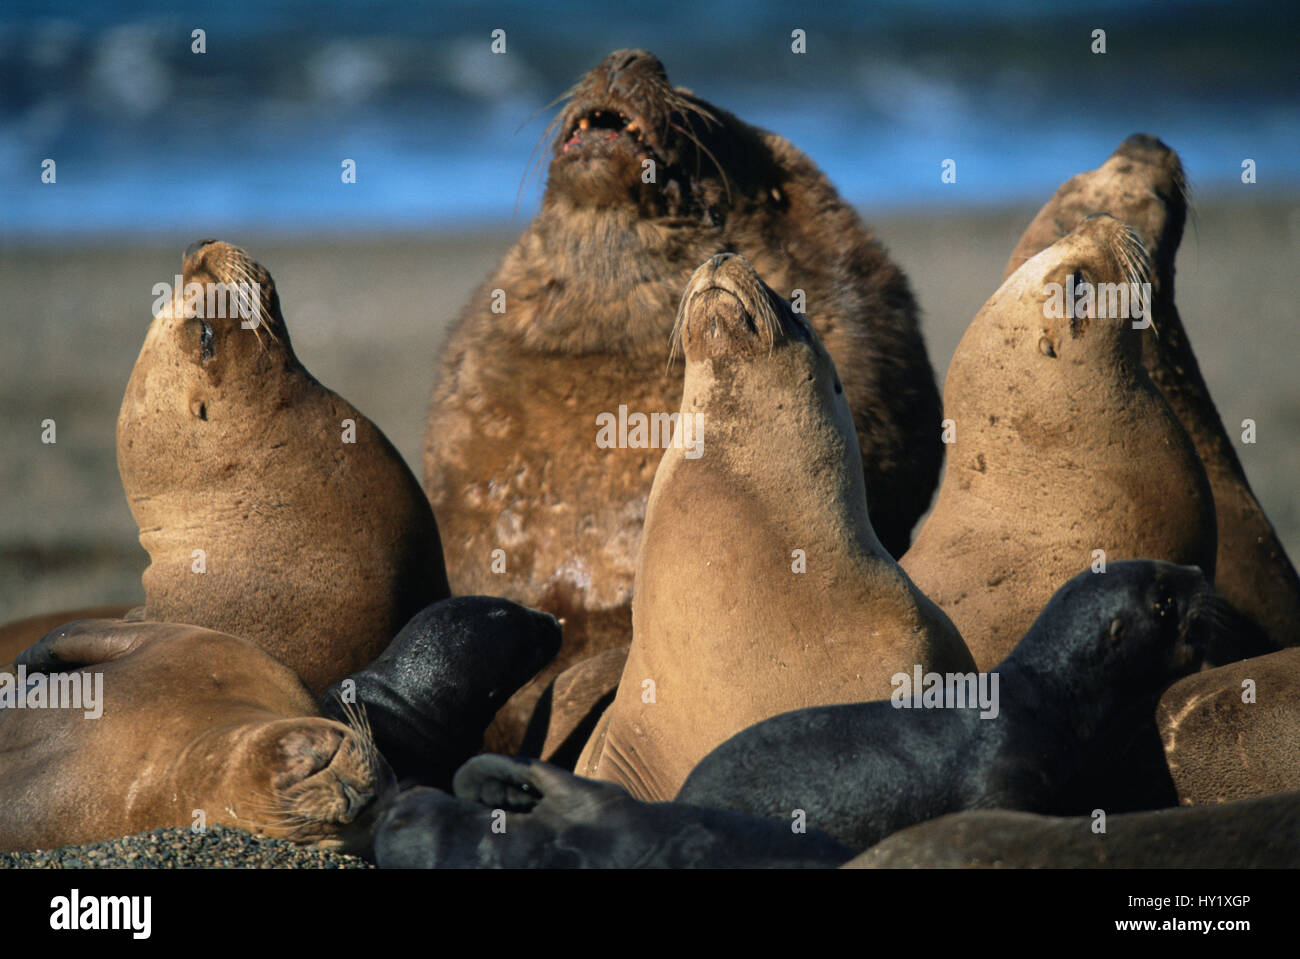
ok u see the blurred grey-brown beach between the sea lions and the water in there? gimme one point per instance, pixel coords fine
(369, 313)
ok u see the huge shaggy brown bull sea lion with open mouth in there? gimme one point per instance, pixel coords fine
(570, 333)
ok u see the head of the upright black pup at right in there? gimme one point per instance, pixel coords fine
(1124, 636)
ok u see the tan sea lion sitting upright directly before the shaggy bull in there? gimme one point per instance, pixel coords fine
(761, 585)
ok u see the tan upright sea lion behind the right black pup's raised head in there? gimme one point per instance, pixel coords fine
(1063, 448)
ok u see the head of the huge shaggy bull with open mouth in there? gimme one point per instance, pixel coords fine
(630, 140)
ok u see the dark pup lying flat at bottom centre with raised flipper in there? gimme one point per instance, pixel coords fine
(519, 813)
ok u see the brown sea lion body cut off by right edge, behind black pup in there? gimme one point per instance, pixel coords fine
(1234, 732)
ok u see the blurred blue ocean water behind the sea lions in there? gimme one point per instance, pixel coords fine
(250, 136)
